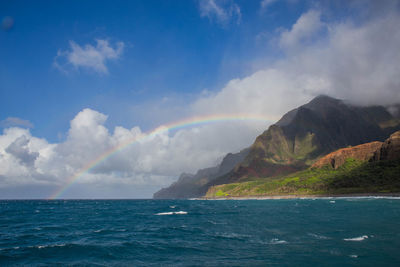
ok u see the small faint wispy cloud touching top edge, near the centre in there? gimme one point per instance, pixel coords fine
(222, 11)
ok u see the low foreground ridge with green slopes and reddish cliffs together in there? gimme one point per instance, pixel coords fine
(368, 168)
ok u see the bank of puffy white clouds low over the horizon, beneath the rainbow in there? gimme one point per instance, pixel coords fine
(151, 162)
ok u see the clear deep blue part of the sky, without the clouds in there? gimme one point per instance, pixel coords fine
(169, 51)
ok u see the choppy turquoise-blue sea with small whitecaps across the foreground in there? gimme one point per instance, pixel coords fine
(297, 232)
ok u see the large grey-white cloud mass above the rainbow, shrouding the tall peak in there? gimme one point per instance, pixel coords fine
(347, 60)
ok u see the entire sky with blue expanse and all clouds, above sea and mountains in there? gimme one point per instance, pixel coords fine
(90, 90)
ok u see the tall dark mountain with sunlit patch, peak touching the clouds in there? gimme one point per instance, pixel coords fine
(306, 133)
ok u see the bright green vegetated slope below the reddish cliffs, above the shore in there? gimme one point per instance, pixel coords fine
(352, 177)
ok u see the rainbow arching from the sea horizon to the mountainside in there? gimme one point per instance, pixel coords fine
(189, 122)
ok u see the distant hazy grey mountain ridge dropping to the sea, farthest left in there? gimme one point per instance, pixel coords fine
(195, 185)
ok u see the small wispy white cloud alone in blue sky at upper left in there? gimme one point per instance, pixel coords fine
(88, 56)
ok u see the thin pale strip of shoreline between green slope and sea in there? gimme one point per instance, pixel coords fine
(361, 195)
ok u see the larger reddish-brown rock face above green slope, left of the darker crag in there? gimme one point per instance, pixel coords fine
(337, 158)
